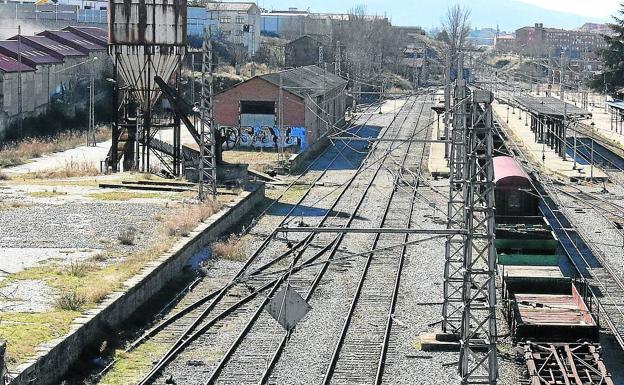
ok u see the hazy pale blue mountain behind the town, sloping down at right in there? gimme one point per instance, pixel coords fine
(509, 15)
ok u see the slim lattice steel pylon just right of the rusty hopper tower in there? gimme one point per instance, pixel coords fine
(207, 170)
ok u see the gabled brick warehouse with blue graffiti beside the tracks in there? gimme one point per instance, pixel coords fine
(313, 101)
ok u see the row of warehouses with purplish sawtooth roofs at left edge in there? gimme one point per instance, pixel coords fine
(53, 65)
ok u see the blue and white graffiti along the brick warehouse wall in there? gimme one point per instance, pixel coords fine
(271, 137)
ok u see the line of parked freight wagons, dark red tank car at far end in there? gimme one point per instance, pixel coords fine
(552, 317)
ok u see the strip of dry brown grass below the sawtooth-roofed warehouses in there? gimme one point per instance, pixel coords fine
(30, 148)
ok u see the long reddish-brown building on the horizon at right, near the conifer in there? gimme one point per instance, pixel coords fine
(541, 41)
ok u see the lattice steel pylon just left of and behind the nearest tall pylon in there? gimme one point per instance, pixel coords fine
(454, 250)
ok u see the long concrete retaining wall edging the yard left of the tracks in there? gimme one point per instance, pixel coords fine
(56, 357)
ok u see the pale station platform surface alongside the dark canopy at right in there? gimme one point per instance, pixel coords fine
(539, 154)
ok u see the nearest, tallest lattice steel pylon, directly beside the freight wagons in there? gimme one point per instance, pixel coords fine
(478, 360)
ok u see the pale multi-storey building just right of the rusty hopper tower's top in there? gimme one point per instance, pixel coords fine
(237, 22)
